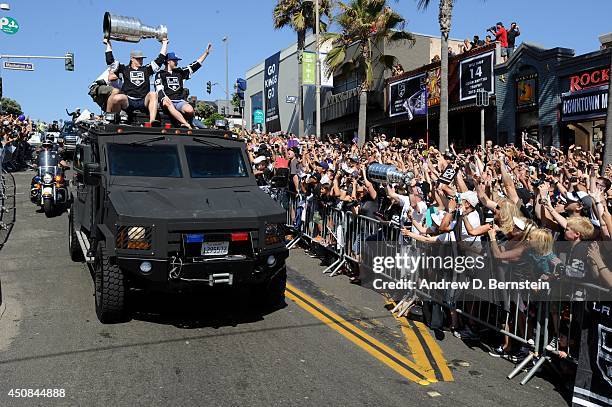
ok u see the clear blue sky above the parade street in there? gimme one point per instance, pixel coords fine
(55, 27)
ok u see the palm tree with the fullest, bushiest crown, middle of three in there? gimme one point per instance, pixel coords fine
(364, 24)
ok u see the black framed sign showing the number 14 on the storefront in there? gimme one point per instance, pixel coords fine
(474, 74)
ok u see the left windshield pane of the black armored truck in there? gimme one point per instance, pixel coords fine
(144, 161)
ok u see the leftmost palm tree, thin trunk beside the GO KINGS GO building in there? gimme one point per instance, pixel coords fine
(300, 16)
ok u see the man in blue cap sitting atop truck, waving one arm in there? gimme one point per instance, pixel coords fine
(169, 86)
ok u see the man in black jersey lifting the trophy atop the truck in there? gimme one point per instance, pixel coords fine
(135, 93)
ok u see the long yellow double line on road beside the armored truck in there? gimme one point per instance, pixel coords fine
(378, 350)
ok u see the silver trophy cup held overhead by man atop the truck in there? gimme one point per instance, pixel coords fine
(129, 29)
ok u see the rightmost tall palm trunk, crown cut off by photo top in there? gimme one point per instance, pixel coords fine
(444, 19)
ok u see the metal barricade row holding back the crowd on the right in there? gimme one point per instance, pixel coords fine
(520, 316)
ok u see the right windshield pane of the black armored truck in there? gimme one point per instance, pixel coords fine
(211, 162)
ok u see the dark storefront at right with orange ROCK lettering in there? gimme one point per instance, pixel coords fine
(553, 96)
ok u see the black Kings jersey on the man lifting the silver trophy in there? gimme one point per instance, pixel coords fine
(136, 82)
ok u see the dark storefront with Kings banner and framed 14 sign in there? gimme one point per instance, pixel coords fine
(413, 100)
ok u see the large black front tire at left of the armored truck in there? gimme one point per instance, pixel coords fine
(110, 288)
